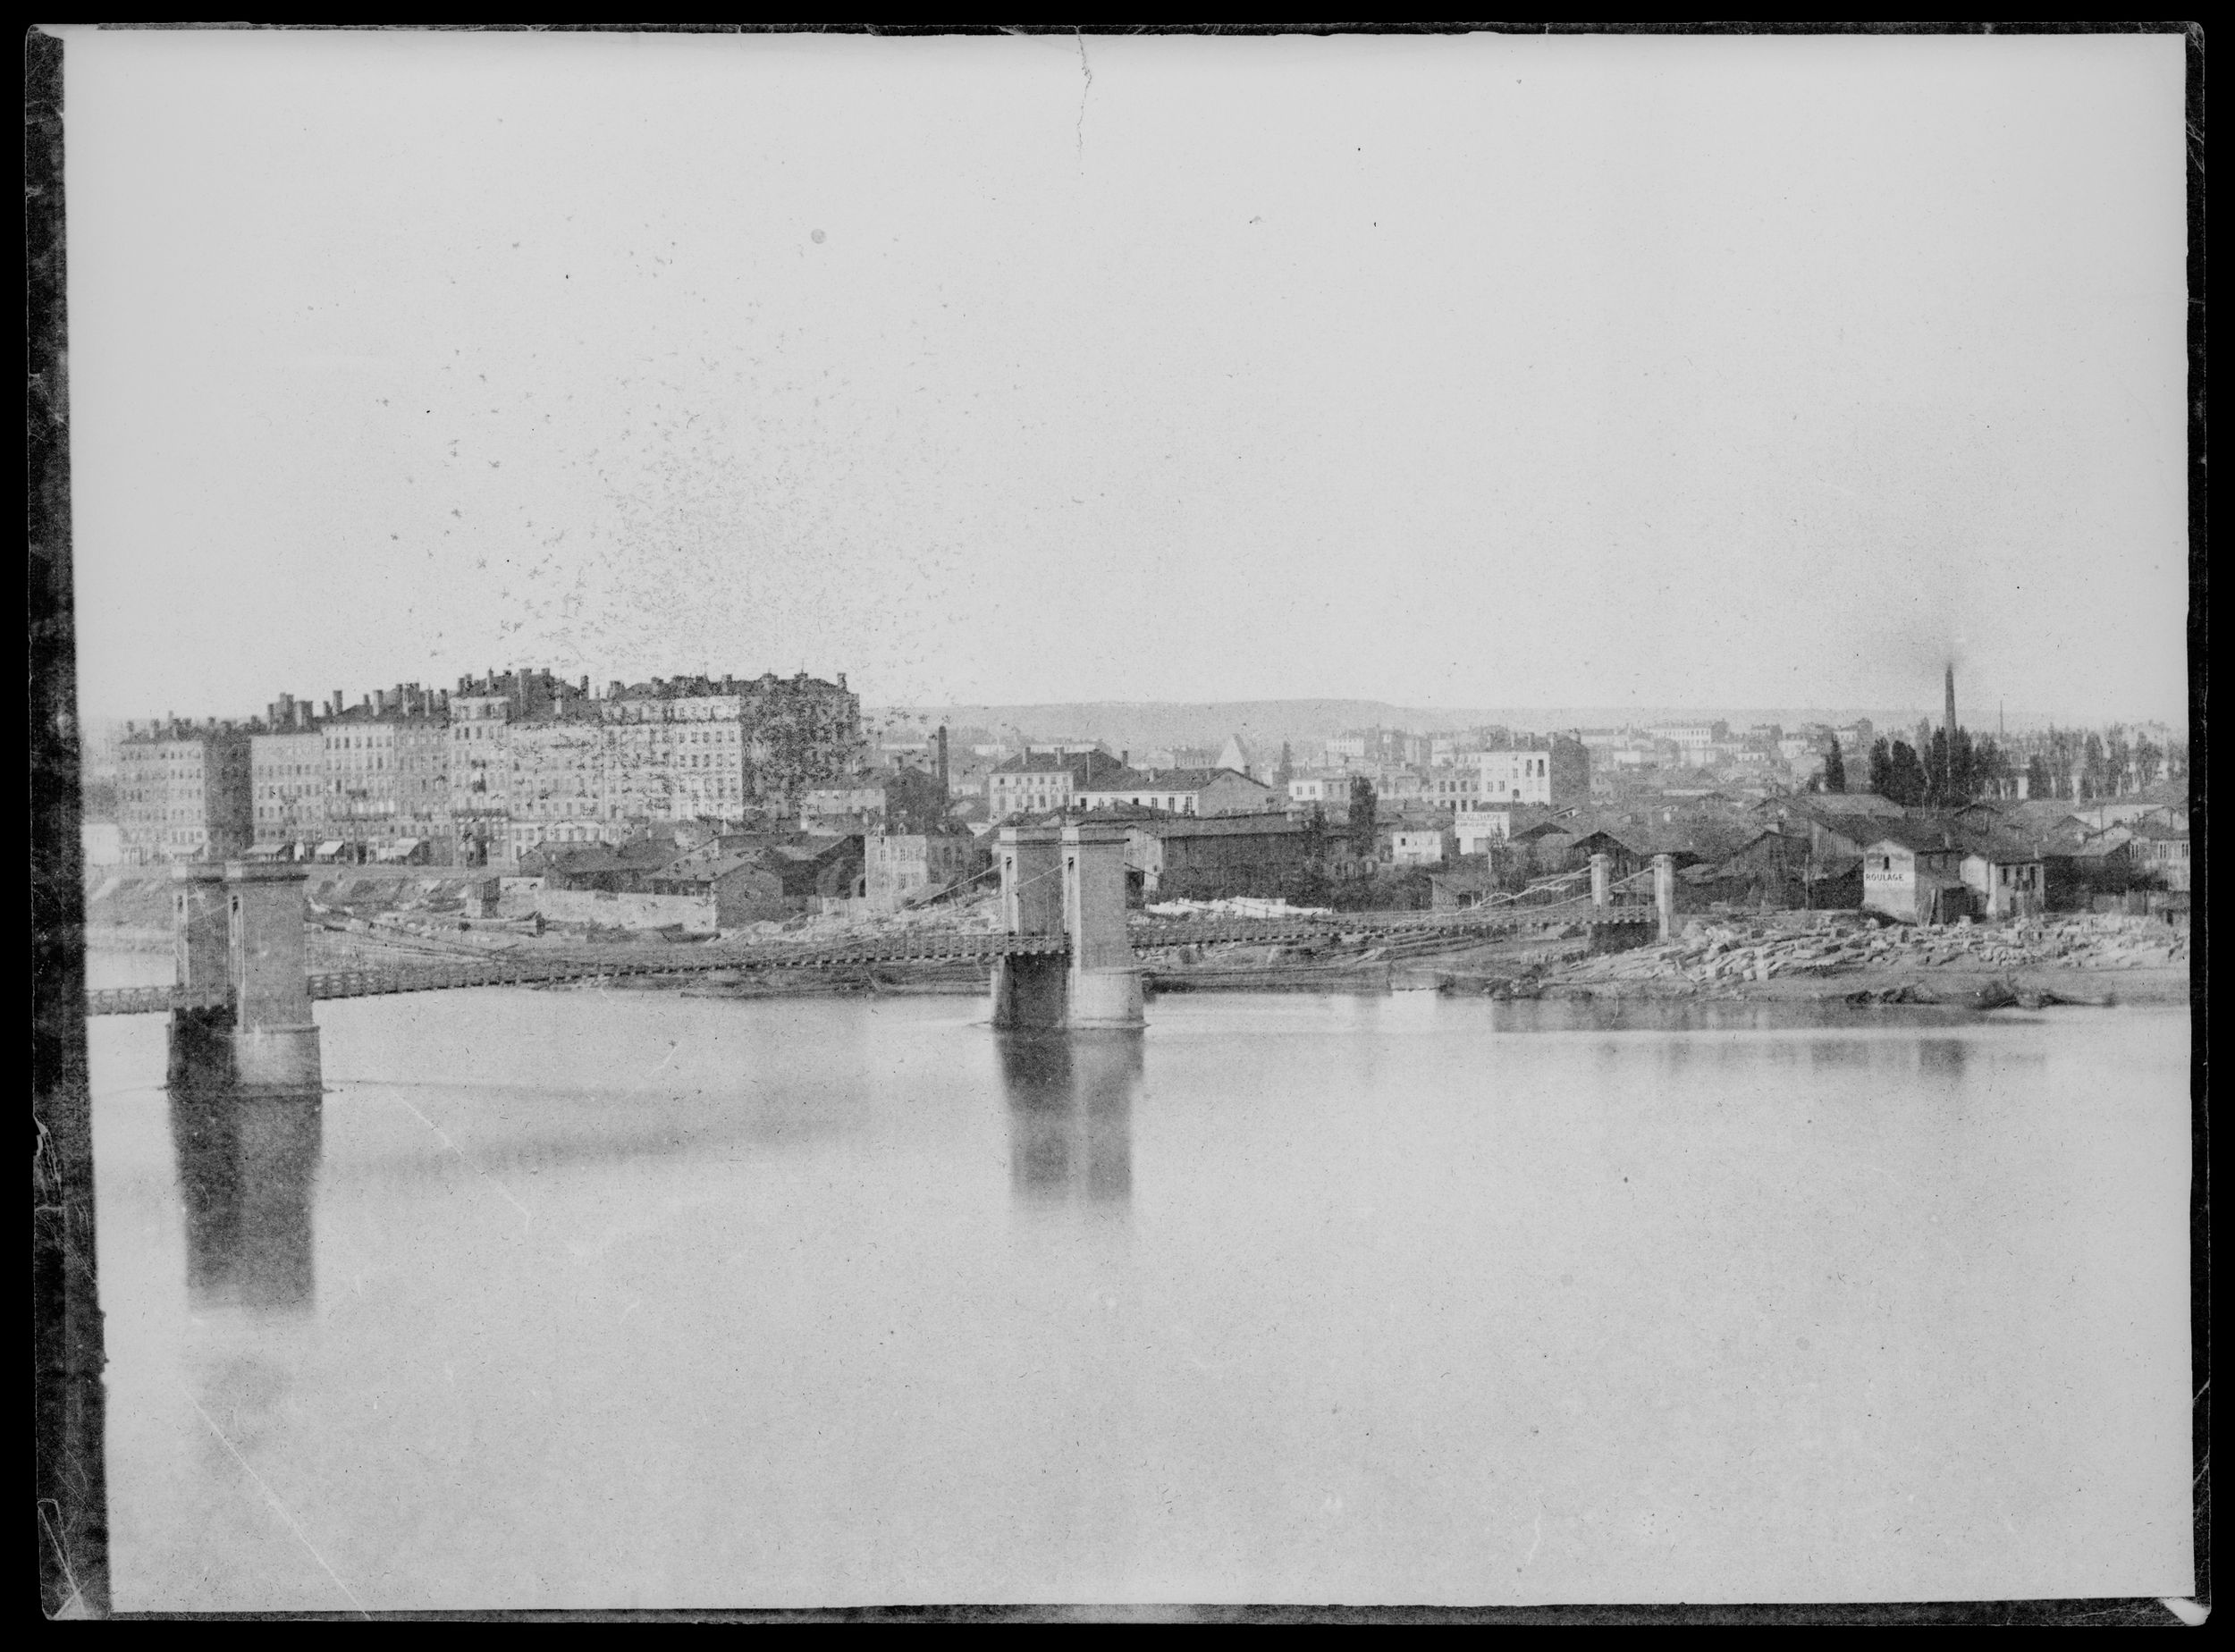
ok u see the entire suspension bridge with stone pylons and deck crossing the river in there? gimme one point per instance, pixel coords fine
(1067, 953)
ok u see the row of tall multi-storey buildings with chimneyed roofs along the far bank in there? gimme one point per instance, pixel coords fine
(484, 772)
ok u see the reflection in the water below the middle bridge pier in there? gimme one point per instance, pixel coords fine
(1072, 1119)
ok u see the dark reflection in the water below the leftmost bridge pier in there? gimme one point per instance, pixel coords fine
(247, 1172)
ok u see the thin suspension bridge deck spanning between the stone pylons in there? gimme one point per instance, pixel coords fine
(897, 949)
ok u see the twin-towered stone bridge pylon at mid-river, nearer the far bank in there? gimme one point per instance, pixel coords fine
(1067, 882)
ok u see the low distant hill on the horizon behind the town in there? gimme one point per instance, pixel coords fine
(1177, 723)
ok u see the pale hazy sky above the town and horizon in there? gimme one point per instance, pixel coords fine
(1443, 372)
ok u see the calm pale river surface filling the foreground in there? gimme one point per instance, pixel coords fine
(640, 1300)
